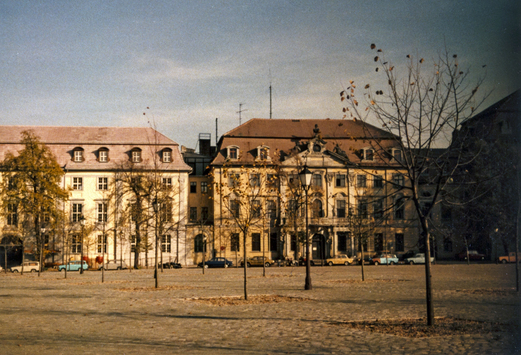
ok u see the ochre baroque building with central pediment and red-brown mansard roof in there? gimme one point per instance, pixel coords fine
(356, 199)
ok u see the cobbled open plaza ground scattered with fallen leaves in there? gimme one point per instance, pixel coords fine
(125, 314)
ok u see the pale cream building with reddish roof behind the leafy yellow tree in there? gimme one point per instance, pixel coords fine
(101, 165)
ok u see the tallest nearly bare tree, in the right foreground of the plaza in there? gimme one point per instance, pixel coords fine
(422, 105)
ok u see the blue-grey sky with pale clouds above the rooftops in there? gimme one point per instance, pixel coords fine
(102, 63)
